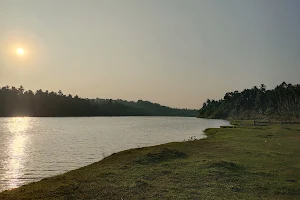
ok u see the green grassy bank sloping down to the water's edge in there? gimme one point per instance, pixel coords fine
(245, 162)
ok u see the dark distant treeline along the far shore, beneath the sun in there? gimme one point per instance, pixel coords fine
(18, 102)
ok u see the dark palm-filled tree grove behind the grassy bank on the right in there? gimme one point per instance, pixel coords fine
(283, 102)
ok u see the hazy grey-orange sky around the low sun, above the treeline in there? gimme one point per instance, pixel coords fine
(177, 53)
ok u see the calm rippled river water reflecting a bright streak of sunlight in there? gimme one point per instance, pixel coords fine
(35, 148)
